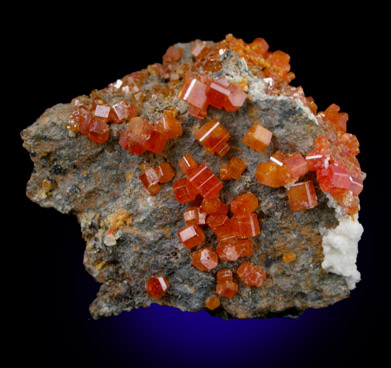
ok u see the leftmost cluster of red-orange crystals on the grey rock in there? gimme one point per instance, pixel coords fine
(92, 118)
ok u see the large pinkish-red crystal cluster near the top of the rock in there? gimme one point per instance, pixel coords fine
(201, 92)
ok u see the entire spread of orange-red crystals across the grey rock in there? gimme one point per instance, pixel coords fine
(219, 236)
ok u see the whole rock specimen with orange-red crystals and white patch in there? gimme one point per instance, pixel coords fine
(206, 182)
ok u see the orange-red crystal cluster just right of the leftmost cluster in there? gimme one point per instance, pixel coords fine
(140, 135)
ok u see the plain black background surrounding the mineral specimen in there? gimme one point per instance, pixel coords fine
(338, 57)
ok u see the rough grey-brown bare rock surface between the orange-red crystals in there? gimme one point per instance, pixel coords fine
(99, 184)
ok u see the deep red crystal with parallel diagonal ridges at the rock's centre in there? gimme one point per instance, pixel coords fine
(205, 182)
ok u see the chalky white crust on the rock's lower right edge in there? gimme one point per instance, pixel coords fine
(340, 247)
